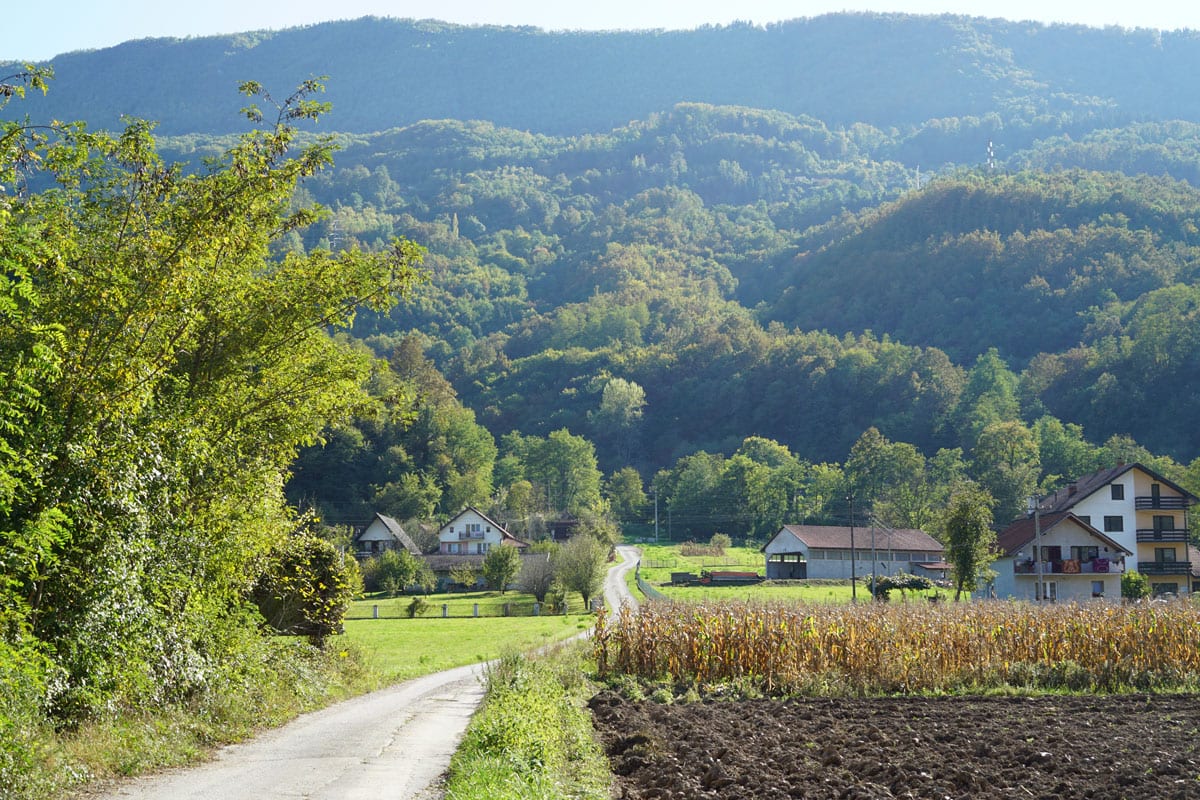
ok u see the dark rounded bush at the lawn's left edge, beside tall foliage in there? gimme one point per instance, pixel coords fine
(307, 588)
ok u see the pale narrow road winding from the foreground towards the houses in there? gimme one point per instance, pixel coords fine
(391, 745)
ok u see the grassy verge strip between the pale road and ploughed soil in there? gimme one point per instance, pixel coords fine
(532, 739)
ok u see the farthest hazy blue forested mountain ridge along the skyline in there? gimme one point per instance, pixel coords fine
(886, 70)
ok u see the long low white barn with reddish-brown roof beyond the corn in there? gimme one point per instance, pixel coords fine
(825, 552)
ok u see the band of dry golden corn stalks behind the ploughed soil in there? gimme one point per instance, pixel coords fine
(907, 648)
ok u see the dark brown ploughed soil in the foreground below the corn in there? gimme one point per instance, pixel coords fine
(1066, 748)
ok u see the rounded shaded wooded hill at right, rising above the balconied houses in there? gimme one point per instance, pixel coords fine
(1030, 260)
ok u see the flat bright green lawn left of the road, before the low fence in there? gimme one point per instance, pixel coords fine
(400, 649)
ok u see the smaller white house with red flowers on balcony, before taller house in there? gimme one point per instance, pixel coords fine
(1078, 562)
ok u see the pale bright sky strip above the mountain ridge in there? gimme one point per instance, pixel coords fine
(31, 32)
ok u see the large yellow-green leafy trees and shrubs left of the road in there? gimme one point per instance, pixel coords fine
(161, 369)
